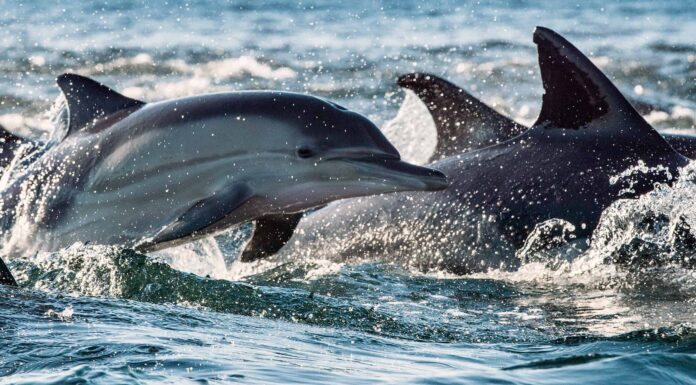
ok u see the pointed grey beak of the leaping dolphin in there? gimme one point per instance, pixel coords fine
(399, 175)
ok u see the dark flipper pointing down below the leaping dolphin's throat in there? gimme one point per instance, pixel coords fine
(271, 233)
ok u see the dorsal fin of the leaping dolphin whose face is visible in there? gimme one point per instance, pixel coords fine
(89, 100)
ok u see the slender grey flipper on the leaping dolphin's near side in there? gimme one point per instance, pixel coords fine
(201, 215)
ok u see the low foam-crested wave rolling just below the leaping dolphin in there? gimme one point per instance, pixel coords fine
(110, 272)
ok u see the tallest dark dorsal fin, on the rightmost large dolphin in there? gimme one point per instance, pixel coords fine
(576, 93)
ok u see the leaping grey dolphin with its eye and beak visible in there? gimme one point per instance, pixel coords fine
(155, 175)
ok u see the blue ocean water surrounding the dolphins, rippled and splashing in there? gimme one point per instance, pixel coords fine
(193, 315)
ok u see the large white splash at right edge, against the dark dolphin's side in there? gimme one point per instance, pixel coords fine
(645, 245)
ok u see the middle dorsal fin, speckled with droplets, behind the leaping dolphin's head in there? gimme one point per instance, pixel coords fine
(463, 122)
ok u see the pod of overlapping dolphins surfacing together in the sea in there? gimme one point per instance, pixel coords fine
(164, 169)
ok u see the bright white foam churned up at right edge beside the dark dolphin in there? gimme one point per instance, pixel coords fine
(649, 220)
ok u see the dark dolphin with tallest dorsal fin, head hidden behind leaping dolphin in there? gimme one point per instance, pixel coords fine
(588, 148)
